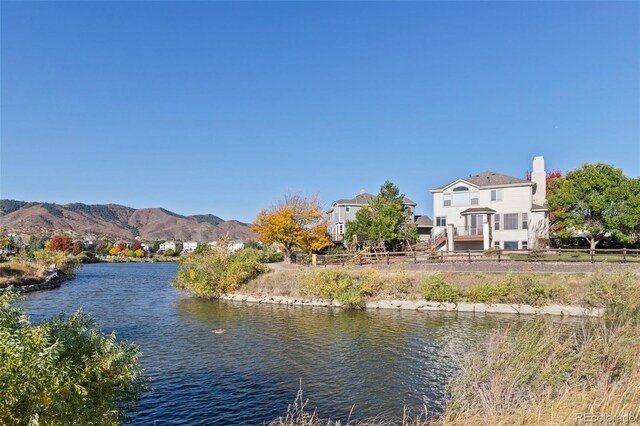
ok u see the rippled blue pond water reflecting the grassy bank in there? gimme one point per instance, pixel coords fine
(379, 361)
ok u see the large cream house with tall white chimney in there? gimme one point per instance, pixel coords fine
(492, 210)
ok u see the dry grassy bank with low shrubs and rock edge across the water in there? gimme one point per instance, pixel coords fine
(513, 293)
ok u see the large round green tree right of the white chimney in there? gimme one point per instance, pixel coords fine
(587, 200)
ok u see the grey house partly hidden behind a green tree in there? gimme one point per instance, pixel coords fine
(343, 211)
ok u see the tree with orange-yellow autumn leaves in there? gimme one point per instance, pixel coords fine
(295, 222)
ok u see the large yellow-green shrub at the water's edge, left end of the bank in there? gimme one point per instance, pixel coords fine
(215, 272)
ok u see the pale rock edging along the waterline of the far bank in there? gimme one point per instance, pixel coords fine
(424, 306)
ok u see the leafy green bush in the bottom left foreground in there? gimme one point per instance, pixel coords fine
(64, 371)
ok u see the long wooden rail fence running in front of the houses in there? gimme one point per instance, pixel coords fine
(418, 255)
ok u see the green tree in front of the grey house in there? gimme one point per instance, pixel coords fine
(385, 219)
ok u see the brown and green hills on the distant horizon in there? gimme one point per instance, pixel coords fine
(115, 221)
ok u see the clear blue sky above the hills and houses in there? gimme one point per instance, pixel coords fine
(203, 107)
